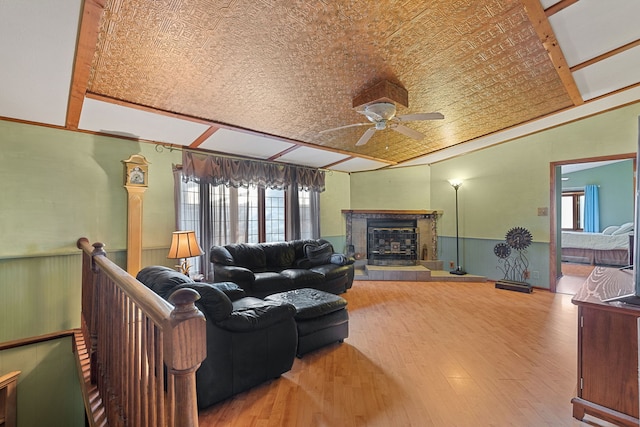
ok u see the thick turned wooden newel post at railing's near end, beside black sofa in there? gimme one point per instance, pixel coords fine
(185, 348)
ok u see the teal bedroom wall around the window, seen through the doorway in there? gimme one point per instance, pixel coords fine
(615, 192)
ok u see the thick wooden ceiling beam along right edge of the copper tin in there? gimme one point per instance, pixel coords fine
(543, 28)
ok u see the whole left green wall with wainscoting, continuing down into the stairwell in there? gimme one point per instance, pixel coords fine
(58, 186)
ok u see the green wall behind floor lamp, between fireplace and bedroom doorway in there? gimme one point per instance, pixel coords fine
(506, 184)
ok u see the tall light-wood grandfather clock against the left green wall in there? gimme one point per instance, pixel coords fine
(136, 177)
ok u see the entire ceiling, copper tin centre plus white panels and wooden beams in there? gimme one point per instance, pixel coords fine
(263, 78)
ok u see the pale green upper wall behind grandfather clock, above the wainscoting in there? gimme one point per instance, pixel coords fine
(67, 185)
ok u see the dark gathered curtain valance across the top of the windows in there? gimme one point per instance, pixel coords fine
(218, 170)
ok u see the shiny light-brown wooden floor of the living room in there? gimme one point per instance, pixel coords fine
(429, 354)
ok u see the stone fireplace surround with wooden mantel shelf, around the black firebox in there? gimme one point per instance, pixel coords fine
(356, 222)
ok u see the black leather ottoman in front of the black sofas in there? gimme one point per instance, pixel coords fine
(321, 317)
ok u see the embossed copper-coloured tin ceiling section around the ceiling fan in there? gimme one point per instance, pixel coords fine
(291, 69)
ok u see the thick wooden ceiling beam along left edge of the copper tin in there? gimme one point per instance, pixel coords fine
(87, 40)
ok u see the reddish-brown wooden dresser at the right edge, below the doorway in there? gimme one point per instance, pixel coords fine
(607, 349)
